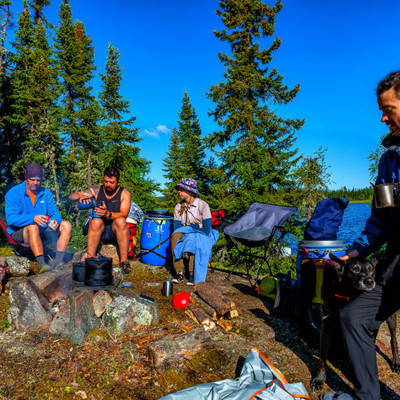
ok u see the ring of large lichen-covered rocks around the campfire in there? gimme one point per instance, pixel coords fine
(50, 301)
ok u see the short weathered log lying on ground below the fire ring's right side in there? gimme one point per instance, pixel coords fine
(174, 350)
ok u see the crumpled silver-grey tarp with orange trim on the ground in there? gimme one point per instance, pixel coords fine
(258, 380)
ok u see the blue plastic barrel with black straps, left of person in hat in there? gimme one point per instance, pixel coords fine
(155, 243)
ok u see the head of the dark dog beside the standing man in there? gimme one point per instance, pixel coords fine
(361, 273)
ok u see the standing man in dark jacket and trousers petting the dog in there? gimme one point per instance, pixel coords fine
(361, 318)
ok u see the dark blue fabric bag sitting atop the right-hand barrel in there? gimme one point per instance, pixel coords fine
(325, 222)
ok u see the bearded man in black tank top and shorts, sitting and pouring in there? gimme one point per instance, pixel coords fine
(113, 204)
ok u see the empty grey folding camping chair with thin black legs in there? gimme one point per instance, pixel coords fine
(255, 229)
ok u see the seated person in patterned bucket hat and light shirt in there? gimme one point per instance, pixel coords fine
(189, 212)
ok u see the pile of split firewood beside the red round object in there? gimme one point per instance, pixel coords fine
(209, 308)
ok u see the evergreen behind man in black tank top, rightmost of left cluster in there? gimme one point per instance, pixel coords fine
(119, 137)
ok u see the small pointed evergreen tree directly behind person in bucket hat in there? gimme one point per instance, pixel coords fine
(186, 156)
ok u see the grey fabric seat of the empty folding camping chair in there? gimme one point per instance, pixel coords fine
(257, 224)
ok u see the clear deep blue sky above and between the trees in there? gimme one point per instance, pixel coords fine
(337, 51)
